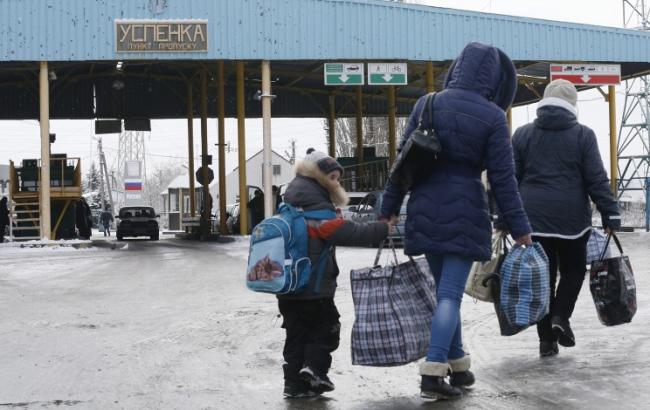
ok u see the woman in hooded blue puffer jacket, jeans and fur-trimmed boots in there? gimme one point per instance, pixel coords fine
(447, 217)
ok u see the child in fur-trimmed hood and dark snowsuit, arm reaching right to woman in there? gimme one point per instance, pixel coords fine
(311, 319)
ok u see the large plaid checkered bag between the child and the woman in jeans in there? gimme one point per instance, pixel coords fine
(393, 308)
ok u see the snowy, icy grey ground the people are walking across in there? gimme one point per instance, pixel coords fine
(170, 325)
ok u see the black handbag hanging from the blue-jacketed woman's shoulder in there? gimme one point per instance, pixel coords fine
(418, 152)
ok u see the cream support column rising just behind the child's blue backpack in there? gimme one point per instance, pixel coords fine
(267, 173)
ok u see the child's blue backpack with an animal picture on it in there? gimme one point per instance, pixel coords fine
(278, 261)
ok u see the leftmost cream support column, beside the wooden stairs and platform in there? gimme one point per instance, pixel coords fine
(44, 102)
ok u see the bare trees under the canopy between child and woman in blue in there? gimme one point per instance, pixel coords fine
(375, 134)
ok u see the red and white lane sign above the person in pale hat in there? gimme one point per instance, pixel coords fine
(587, 74)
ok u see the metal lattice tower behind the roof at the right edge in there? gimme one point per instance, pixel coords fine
(634, 135)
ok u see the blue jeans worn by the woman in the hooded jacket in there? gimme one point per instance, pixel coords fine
(450, 273)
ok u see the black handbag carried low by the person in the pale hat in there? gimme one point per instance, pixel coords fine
(612, 286)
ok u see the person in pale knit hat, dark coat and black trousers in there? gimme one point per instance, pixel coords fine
(559, 169)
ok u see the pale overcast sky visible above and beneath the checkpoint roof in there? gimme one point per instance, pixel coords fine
(167, 142)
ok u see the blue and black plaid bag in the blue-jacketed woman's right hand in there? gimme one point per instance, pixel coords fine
(524, 289)
